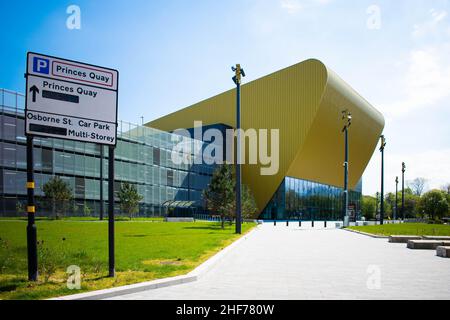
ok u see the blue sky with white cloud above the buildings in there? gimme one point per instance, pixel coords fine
(402, 67)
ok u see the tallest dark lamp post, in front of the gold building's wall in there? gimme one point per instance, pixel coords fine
(239, 72)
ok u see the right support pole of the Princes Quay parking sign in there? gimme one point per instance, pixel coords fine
(112, 270)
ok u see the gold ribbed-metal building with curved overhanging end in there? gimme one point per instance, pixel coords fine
(305, 102)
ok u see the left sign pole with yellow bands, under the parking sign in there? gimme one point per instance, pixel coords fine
(31, 210)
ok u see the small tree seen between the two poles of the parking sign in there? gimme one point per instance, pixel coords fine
(57, 193)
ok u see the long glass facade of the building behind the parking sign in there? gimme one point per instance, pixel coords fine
(142, 158)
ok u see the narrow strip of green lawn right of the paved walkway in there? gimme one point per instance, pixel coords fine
(421, 229)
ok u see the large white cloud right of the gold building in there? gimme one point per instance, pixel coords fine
(420, 85)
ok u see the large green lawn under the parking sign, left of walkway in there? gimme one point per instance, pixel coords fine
(144, 251)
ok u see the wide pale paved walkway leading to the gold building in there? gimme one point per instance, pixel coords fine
(291, 263)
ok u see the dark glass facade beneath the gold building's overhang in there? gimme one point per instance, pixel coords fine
(298, 199)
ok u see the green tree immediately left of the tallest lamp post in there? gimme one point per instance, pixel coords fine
(220, 192)
